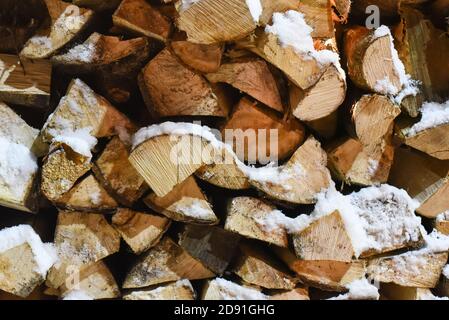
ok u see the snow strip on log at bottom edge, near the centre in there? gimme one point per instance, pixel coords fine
(231, 291)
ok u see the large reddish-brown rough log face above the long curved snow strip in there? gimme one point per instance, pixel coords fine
(171, 89)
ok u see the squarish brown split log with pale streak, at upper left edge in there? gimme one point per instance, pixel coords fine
(25, 82)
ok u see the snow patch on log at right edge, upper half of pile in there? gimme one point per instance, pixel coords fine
(433, 114)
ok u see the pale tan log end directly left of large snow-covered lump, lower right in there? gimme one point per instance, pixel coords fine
(324, 239)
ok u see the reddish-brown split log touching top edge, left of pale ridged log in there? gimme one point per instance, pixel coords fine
(139, 17)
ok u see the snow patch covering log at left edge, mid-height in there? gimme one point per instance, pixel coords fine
(18, 166)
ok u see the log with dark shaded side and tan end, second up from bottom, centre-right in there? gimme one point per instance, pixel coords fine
(256, 267)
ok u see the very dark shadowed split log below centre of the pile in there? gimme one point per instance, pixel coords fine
(212, 246)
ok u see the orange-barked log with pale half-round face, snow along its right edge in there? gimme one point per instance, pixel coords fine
(369, 60)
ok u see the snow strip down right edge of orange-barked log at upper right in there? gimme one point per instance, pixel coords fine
(384, 86)
